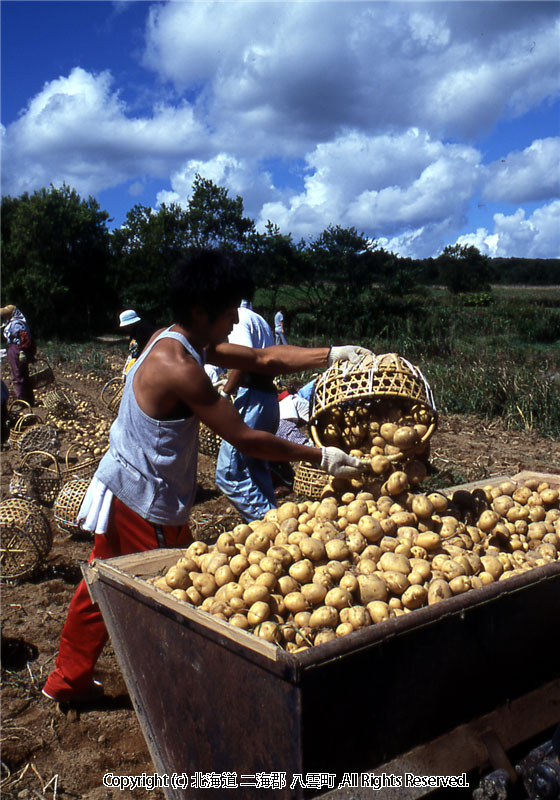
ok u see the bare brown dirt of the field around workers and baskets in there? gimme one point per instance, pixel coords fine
(55, 752)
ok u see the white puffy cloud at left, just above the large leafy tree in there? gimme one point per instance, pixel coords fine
(77, 130)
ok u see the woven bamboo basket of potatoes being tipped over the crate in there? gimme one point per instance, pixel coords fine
(380, 409)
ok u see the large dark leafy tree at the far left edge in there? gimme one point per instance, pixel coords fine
(55, 260)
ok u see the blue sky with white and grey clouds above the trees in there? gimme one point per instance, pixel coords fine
(420, 124)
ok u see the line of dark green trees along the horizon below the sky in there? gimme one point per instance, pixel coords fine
(71, 275)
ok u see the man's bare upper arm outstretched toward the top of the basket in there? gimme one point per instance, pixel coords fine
(276, 360)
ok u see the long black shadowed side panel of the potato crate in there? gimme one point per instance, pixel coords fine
(408, 689)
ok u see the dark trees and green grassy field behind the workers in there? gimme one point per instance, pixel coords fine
(486, 332)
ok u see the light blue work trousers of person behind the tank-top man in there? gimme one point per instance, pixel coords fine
(247, 482)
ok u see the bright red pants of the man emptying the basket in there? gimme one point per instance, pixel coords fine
(84, 634)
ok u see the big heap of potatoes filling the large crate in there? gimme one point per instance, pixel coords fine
(313, 571)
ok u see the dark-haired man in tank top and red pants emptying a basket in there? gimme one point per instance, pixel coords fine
(141, 495)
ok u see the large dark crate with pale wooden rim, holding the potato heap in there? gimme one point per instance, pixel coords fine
(213, 698)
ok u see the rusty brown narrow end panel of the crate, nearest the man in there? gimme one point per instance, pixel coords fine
(201, 707)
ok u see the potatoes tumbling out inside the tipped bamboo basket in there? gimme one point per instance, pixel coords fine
(389, 434)
